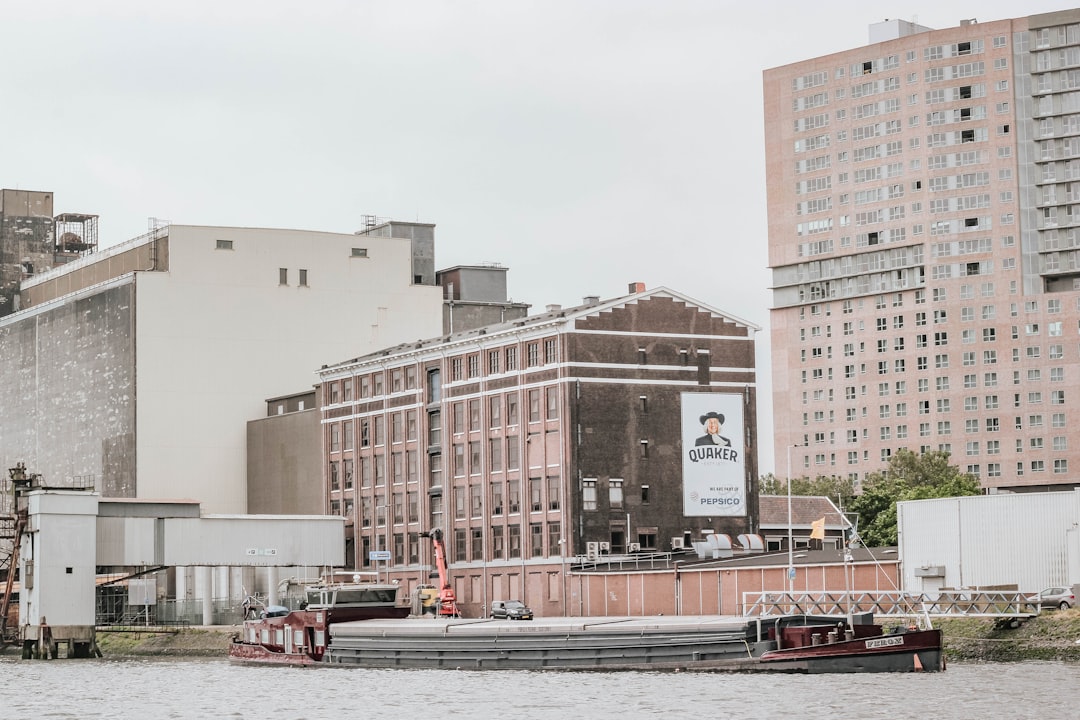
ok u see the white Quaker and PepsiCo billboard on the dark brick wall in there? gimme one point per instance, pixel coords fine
(714, 467)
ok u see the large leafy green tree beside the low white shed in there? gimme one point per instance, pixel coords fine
(909, 477)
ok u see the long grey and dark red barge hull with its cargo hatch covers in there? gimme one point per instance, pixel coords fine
(708, 644)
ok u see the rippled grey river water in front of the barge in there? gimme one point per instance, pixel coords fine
(152, 689)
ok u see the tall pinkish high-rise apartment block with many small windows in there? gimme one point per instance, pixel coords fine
(925, 242)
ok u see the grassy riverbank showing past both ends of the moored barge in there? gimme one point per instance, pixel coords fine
(1051, 636)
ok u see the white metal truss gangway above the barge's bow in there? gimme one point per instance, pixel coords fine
(958, 604)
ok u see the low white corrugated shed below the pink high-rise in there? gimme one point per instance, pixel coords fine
(1028, 540)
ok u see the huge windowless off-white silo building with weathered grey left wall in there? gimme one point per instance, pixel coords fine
(136, 370)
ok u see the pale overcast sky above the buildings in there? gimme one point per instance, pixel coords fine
(585, 145)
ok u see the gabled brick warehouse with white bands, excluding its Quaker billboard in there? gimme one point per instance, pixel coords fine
(533, 443)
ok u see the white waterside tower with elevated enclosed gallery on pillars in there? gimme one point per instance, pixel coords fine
(71, 534)
